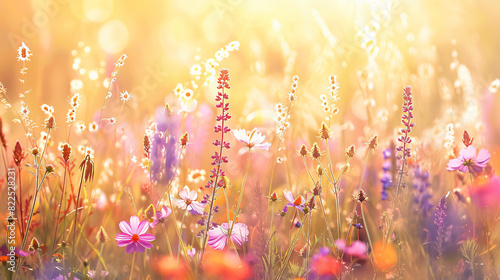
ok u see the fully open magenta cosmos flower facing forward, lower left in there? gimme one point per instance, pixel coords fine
(134, 235)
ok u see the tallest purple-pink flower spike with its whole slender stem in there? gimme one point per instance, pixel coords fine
(218, 158)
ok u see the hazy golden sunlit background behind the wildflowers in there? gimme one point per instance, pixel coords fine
(447, 51)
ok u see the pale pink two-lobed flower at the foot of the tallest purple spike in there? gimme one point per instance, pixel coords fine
(217, 236)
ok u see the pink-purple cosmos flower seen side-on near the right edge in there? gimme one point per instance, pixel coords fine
(468, 160)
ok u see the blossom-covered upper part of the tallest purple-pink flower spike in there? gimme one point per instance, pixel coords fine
(218, 158)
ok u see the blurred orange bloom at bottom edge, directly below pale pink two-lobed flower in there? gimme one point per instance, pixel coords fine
(225, 266)
